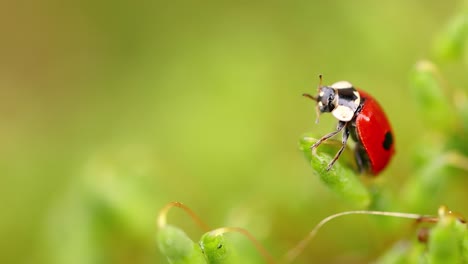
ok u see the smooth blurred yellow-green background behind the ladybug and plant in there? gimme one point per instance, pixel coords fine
(111, 109)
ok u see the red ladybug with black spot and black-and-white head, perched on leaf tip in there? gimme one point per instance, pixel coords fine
(360, 116)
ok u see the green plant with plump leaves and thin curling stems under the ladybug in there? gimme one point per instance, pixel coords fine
(440, 158)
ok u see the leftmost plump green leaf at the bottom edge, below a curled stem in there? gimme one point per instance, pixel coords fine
(178, 247)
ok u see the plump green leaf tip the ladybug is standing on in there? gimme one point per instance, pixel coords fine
(342, 177)
